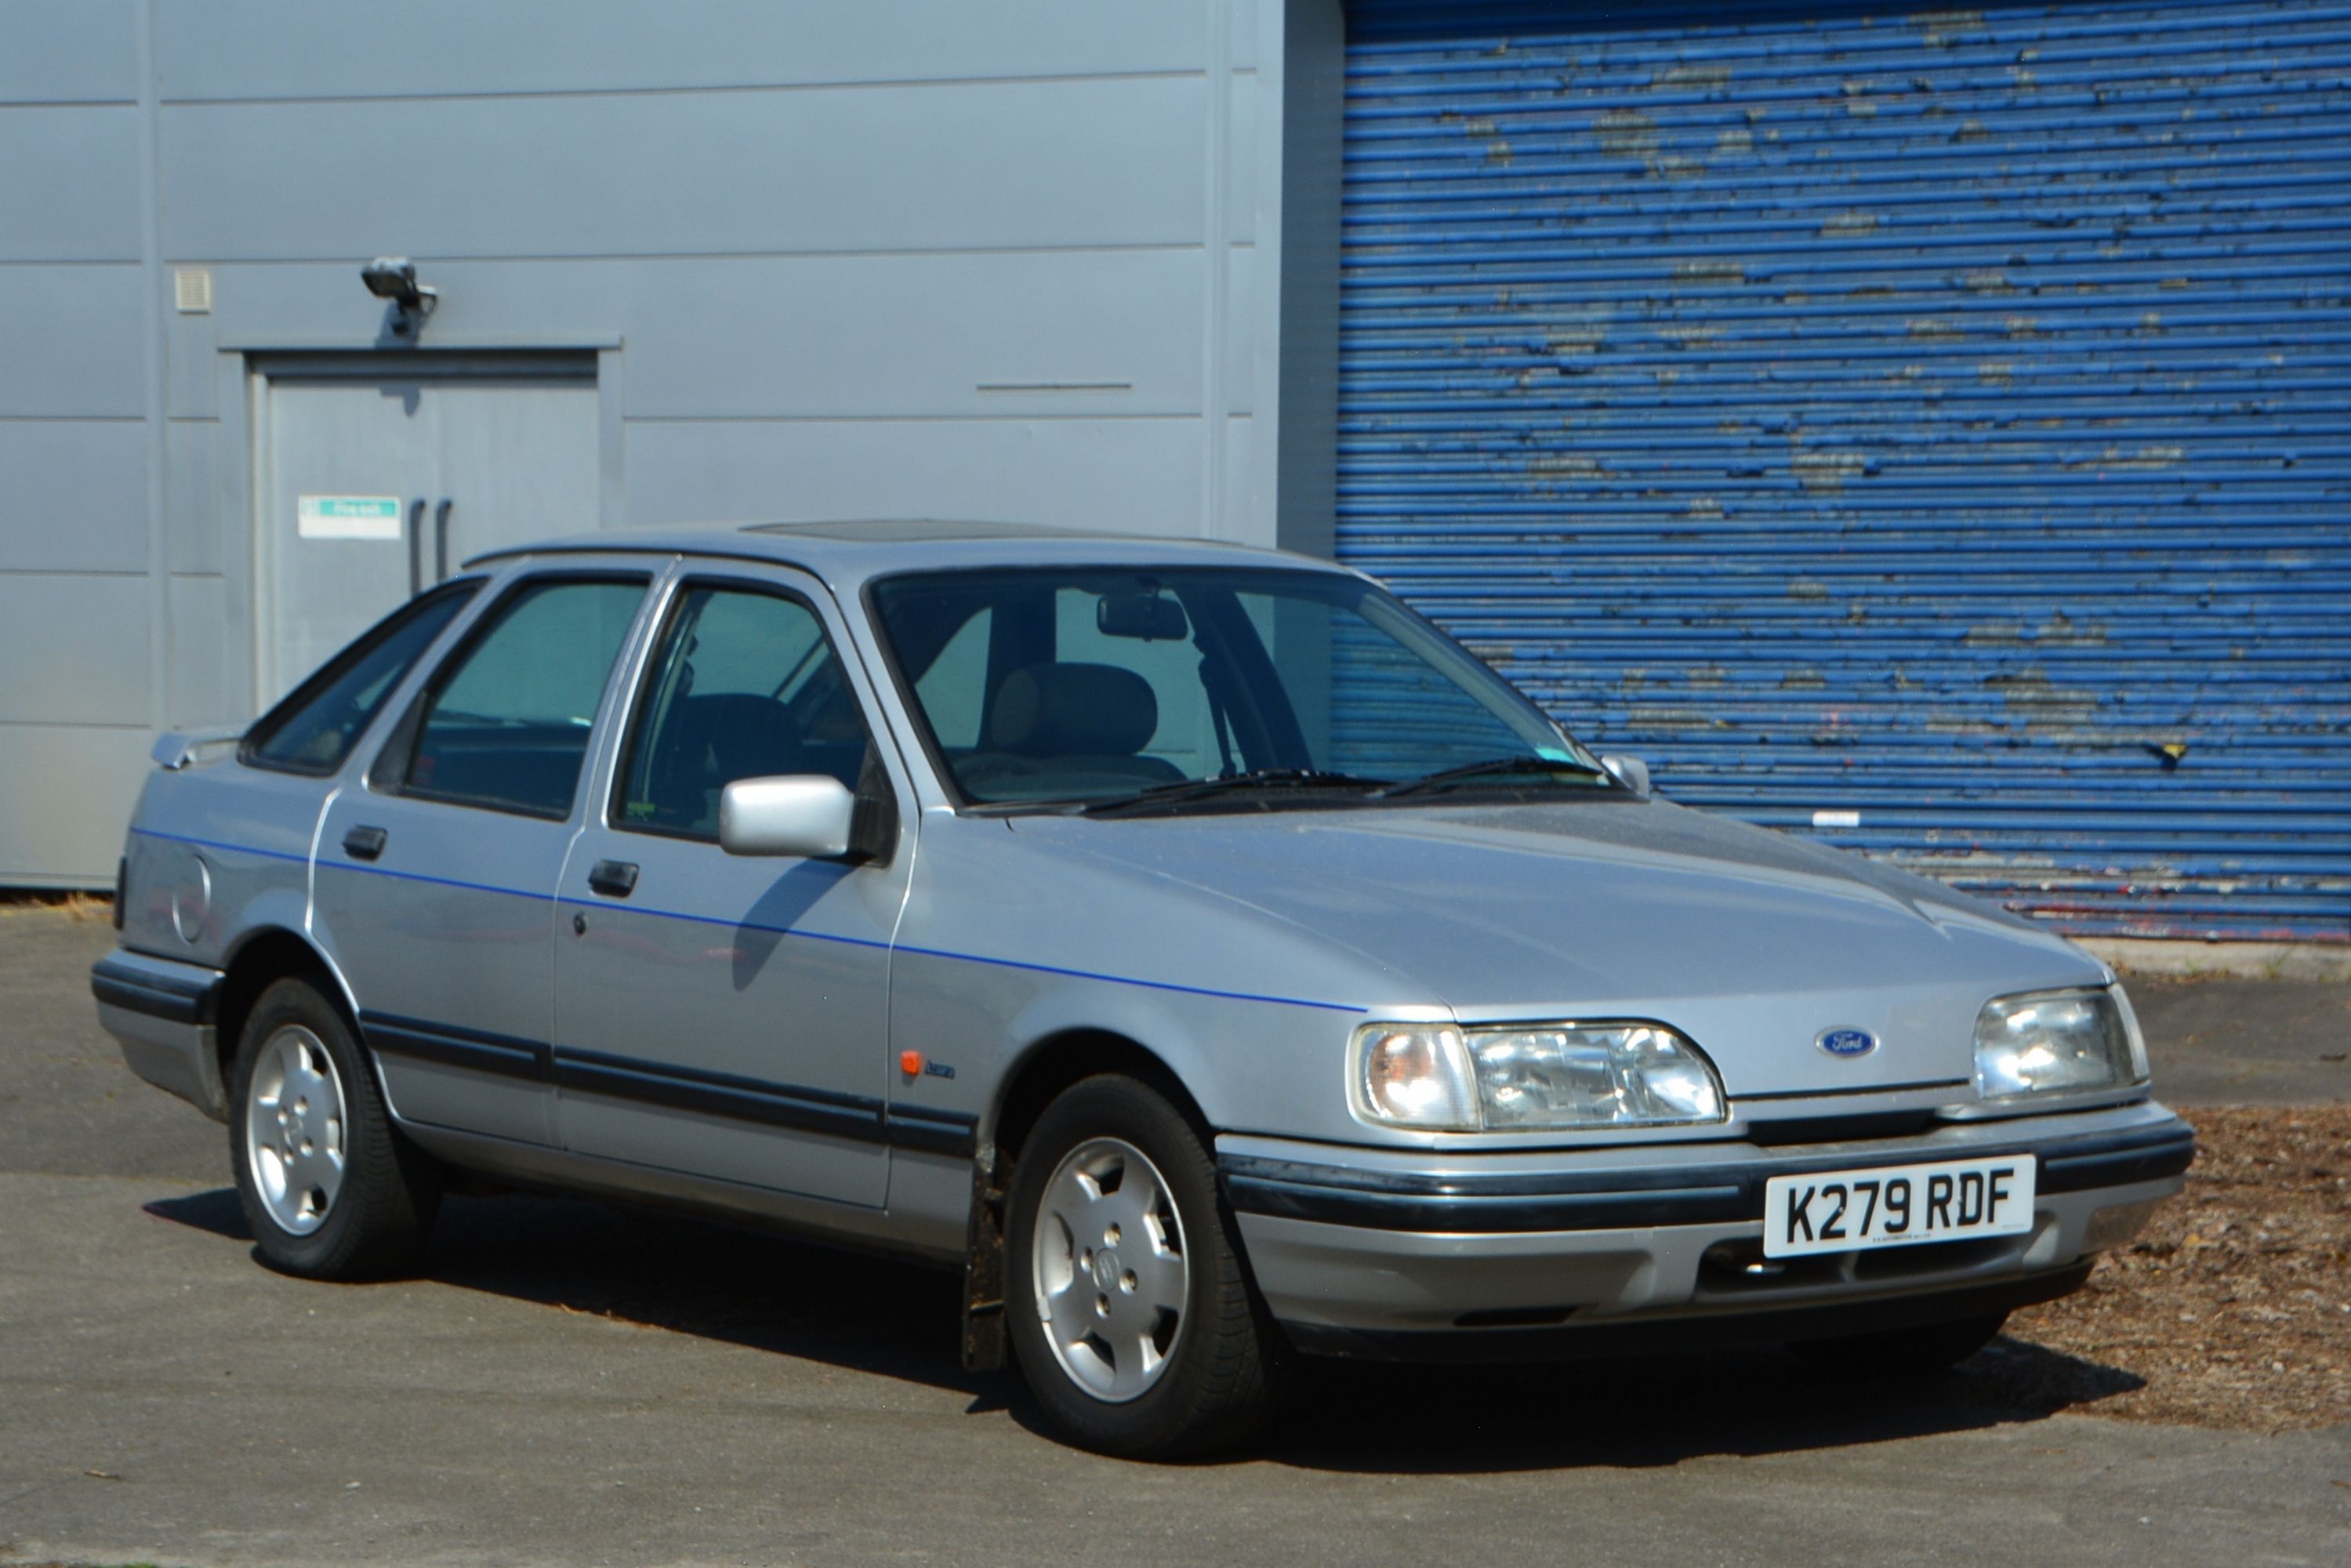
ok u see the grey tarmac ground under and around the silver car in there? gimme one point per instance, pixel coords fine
(577, 1386)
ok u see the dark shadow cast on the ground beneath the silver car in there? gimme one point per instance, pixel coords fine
(902, 1320)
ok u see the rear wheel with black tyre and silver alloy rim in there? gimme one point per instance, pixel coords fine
(330, 1188)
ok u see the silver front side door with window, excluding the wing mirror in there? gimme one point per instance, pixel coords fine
(718, 1014)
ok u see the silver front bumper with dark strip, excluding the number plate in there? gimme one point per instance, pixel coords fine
(1398, 1254)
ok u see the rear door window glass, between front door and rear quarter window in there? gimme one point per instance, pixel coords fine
(507, 721)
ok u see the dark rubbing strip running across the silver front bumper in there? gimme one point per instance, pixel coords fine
(1614, 1200)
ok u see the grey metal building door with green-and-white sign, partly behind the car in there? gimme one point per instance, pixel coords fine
(380, 474)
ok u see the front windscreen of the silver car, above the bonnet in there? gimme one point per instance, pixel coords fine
(1094, 688)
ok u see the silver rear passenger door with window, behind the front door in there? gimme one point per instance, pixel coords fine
(436, 876)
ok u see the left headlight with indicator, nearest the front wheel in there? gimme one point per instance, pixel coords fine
(1532, 1078)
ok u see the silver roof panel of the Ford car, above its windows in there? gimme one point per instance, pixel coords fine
(852, 551)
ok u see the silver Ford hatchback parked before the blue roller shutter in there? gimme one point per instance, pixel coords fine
(1188, 944)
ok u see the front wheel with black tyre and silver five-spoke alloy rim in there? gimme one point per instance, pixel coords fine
(1127, 1299)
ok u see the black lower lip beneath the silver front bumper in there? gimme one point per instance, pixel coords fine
(1689, 1329)
